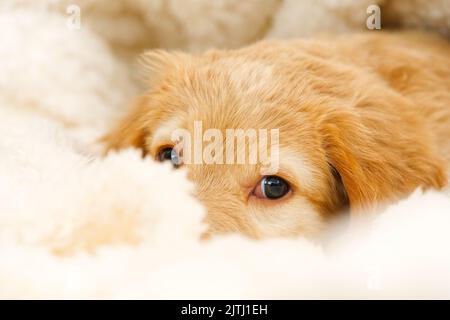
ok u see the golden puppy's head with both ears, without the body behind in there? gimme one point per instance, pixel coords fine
(333, 150)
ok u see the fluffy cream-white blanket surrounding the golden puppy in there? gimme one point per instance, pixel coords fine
(74, 225)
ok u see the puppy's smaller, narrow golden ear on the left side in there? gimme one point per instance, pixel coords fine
(131, 131)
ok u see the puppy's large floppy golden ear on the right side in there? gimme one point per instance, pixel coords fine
(380, 158)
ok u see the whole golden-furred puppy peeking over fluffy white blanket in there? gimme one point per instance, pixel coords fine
(363, 120)
